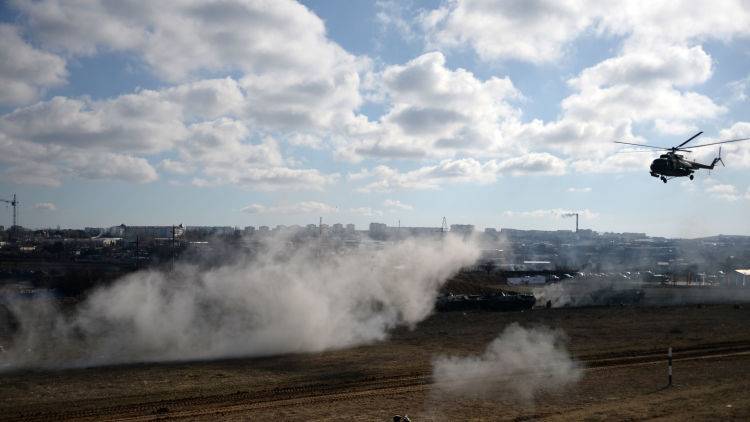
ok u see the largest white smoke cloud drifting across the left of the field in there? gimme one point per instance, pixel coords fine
(278, 301)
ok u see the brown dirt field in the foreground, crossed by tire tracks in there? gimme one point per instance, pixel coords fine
(622, 351)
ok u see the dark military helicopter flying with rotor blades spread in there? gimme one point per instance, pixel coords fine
(672, 164)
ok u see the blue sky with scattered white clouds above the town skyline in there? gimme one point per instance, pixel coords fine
(496, 113)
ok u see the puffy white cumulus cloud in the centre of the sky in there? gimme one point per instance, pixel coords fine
(435, 111)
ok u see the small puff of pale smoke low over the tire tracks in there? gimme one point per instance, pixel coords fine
(520, 362)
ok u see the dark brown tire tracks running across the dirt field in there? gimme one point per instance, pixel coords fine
(297, 395)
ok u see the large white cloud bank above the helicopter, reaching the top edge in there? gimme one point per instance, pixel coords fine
(649, 83)
